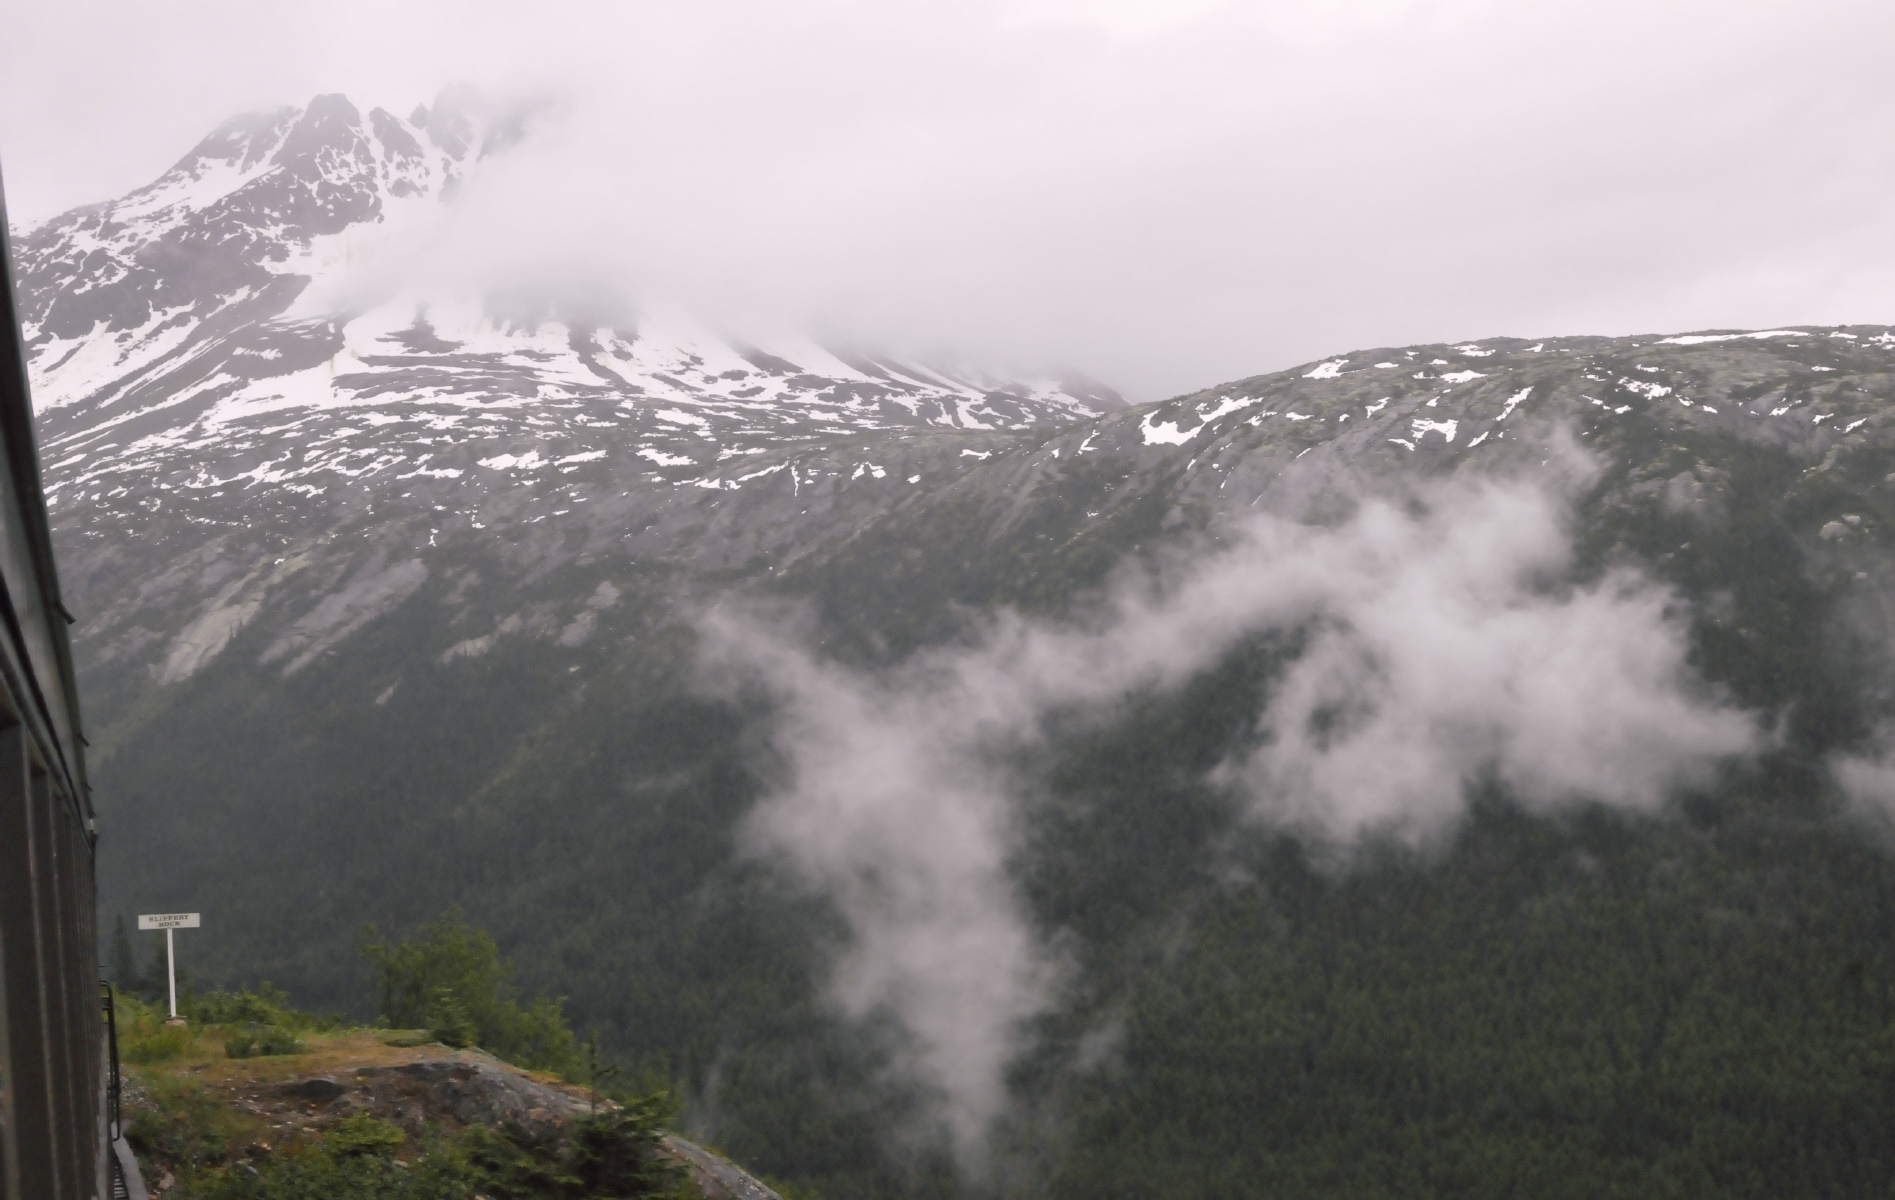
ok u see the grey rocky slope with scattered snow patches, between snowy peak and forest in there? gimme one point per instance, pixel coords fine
(168, 570)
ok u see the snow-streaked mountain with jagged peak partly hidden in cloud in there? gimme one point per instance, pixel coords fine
(189, 335)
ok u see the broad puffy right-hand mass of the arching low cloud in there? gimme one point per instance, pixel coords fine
(1435, 661)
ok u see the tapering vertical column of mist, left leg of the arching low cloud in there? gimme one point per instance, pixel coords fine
(897, 810)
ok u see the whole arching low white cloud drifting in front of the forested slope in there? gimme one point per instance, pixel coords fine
(1441, 649)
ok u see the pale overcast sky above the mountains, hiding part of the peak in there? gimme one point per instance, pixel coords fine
(1161, 192)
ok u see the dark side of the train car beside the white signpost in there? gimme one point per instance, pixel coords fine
(58, 1074)
